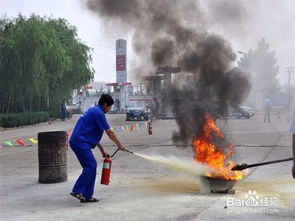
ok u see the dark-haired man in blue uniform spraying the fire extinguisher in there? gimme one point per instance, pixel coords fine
(86, 135)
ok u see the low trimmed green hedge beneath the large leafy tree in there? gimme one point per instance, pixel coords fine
(21, 119)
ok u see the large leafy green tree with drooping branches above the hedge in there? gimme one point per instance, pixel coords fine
(42, 61)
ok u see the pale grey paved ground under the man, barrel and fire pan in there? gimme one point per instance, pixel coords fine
(142, 190)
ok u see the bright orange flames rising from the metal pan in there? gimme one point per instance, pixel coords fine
(207, 152)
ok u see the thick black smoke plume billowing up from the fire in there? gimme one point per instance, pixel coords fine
(173, 33)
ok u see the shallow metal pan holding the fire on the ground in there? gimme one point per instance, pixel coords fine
(218, 185)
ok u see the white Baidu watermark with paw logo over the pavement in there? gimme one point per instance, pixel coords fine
(252, 202)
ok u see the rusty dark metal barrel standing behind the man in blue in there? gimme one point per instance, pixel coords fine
(52, 154)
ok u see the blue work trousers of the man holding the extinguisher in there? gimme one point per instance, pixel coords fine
(86, 181)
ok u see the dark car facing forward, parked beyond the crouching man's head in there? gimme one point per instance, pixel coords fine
(137, 111)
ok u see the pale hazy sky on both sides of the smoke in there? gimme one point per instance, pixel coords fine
(273, 20)
